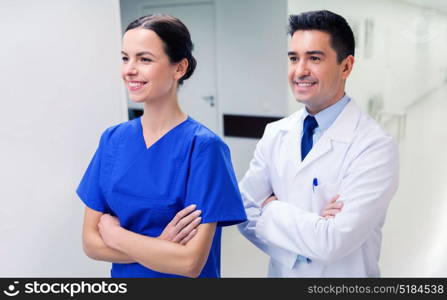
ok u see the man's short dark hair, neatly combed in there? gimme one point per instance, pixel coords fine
(342, 37)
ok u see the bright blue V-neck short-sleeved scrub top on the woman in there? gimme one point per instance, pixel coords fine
(146, 187)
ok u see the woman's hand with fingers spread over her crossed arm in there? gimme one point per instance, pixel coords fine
(183, 226)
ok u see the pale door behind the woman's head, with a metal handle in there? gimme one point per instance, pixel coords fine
(197, 96)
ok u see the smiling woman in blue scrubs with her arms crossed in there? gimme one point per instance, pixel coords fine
(162, 165)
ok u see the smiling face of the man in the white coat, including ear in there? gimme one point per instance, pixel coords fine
(316, 78)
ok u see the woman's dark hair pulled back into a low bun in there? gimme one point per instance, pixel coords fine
(175, 36)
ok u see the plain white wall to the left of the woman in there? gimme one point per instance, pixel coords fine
(60, 88)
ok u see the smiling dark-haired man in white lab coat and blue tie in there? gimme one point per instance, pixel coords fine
(304, 161)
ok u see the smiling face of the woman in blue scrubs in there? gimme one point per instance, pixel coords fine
(146, 69)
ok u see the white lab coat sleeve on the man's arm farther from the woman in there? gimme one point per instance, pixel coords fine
(366, 190)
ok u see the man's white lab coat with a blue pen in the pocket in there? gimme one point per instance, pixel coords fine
(354, 158)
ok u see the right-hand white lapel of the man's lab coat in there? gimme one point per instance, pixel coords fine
(342, 130)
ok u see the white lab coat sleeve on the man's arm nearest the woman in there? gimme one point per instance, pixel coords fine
(255, 187)
